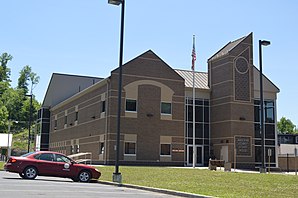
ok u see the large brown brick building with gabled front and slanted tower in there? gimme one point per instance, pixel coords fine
(79, 114)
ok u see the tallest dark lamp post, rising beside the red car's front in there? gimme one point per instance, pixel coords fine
(117, 177)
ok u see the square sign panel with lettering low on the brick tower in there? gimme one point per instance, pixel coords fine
(243, 145)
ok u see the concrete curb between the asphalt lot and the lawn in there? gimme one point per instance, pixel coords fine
(159, 190)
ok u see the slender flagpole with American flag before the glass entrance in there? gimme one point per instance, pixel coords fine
(194, 150)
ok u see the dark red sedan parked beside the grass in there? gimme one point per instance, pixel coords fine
(46, 163)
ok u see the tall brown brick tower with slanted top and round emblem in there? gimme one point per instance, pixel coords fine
(230, 73)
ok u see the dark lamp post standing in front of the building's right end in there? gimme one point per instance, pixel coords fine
(262, 131)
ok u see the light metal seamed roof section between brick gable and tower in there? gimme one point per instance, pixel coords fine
(201, 78)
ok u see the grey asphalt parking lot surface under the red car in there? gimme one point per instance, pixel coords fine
(13, 186)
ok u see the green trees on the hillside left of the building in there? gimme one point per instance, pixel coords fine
(15, 105)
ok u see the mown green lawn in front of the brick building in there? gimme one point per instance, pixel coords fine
(206, 182)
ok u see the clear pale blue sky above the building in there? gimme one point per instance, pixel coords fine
(82, 37)
